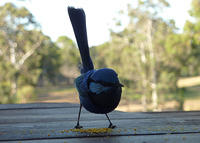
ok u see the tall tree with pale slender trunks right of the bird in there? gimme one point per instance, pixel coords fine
(142, 45)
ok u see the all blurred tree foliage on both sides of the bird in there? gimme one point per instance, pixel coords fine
(148, 54)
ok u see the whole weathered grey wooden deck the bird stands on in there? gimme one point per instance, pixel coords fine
(54, 122)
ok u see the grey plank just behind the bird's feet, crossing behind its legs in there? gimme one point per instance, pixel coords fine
(35, 116)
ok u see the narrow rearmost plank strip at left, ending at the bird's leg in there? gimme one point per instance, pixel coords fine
(37, 106)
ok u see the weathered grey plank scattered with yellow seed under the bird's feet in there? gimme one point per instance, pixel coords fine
(125, 127)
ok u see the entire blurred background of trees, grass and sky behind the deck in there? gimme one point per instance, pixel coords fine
(154, 45)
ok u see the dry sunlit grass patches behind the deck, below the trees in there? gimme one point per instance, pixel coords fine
(129, 97)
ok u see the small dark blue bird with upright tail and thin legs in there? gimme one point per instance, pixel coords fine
(99, 89)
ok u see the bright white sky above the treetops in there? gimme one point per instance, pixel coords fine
(53, 17)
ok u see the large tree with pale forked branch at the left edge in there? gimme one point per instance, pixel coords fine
(22, 51)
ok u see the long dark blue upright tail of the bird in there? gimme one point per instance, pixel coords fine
(78, 20)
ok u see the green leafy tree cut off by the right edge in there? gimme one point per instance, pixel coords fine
(184, 51)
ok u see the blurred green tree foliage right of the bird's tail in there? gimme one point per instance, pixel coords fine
(149, 55)
